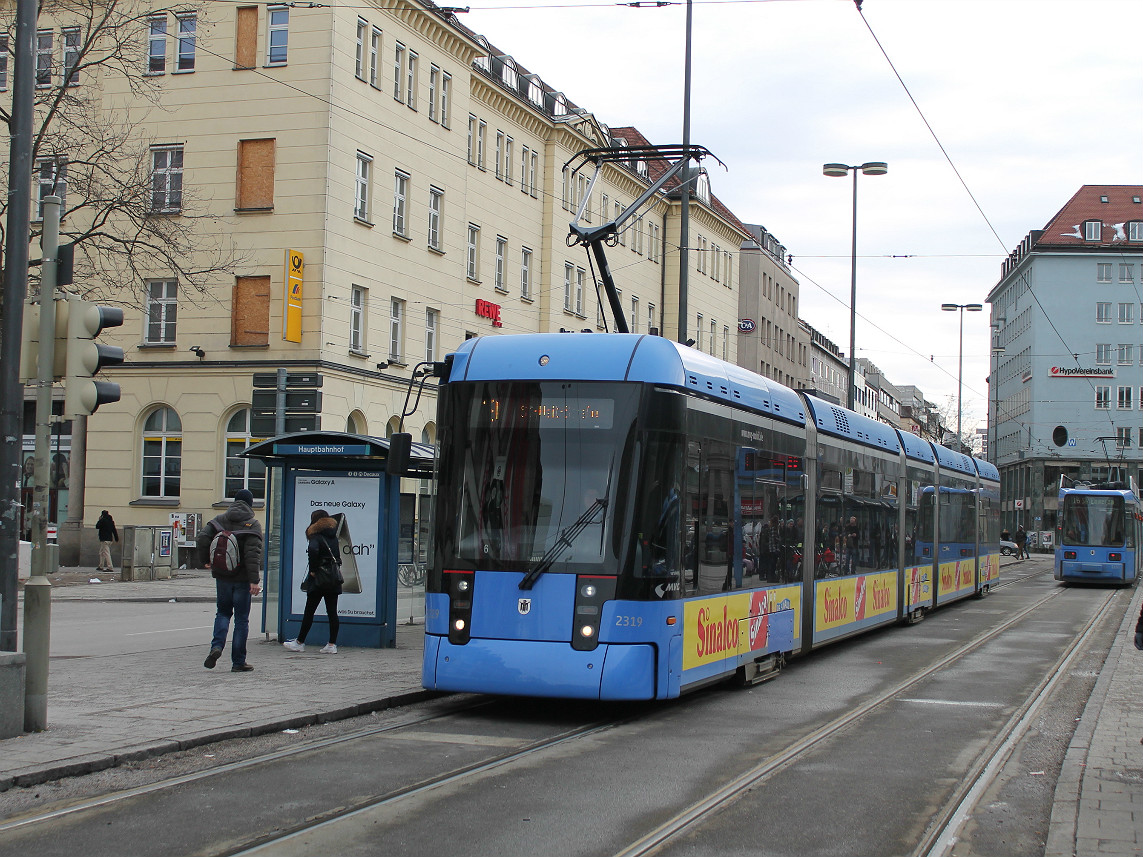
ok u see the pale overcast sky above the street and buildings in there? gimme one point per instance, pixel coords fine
(1032, 100)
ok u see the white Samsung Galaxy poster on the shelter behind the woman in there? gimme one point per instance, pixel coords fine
(355, 503)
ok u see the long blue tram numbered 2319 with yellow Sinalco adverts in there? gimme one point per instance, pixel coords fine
(621, 517)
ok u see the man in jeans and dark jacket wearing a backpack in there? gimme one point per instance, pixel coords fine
(231, 548)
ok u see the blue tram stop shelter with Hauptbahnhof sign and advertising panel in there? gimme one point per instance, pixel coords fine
(347, 476)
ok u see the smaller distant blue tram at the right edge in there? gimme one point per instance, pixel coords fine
(1099, 533)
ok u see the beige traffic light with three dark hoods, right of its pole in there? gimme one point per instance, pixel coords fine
(85, 357)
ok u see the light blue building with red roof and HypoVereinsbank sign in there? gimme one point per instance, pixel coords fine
(1068, 354)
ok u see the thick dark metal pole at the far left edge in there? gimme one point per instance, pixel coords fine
(15, 287)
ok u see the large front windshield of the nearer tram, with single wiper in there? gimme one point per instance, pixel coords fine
(535, 470)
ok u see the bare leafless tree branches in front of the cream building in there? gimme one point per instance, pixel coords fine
(97, 156)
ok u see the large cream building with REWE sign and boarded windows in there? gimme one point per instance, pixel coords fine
(383, 183)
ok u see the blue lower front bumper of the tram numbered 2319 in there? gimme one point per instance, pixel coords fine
(532, 668)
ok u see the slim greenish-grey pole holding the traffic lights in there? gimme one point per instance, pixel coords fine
(45, 557)
